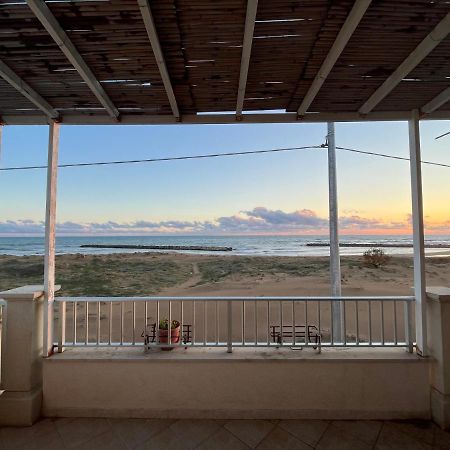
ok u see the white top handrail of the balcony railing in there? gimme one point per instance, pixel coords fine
(237, 299)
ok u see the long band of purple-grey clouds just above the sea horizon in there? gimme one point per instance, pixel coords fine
(259, 220)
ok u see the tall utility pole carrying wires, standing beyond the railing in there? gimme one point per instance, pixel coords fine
(335, 262)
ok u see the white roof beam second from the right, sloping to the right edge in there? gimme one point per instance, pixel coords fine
(432, 40)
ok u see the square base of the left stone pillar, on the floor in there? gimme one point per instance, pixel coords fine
(20, 408)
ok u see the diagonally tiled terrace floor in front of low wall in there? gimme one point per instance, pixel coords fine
(158, 434)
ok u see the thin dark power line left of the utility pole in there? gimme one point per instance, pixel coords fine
(172, 158)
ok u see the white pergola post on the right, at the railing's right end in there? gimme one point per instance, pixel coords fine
(418, 233)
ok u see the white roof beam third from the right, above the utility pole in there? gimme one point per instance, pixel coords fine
(350, 24)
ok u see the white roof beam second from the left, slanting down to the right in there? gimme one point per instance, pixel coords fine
(48, 20)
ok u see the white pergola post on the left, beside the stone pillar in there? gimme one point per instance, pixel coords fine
(50, 222)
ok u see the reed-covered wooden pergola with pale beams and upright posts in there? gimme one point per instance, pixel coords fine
(222, 62)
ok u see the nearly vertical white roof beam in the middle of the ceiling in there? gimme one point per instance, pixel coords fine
(252, 6)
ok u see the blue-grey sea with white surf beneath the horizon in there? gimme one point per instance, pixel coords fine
(241, 245)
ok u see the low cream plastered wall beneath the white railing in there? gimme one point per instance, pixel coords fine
(246, 384)
